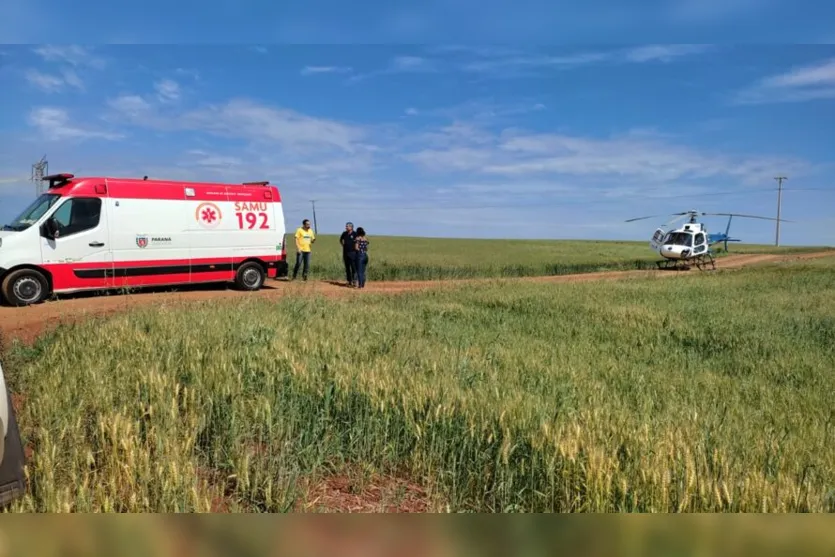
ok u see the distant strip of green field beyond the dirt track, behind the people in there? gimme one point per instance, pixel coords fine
(399, 258)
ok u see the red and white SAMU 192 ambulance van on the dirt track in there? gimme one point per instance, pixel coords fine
(100, 233)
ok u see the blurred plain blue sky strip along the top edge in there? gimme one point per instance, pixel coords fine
(427, 22)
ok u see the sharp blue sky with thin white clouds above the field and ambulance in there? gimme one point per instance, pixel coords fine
(470, 141)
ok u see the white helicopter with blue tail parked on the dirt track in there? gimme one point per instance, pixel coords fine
(691, 243)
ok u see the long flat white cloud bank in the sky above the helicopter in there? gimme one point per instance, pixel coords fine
(640, 157)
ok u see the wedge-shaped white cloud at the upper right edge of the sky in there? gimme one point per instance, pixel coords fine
(809, 82)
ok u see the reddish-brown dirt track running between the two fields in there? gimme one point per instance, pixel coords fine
(27, 323)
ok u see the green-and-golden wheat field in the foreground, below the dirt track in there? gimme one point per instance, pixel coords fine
(705, 392)
